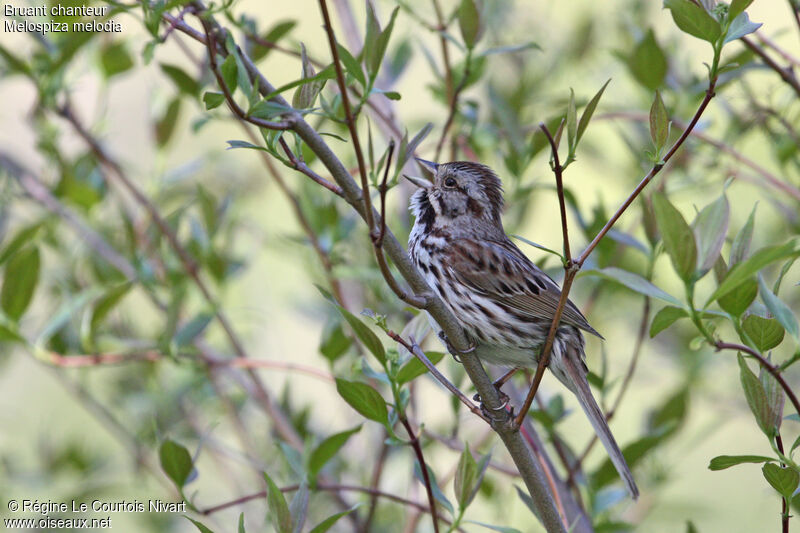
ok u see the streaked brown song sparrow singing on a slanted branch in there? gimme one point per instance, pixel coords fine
(500, 297)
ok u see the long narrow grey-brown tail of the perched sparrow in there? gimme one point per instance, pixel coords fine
(573, 368)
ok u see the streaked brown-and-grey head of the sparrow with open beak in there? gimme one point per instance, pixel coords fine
(461, 190)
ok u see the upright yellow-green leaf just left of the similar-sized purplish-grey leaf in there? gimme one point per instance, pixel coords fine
(677, 236)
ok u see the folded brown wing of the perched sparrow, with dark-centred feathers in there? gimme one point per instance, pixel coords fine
(500, 271)
